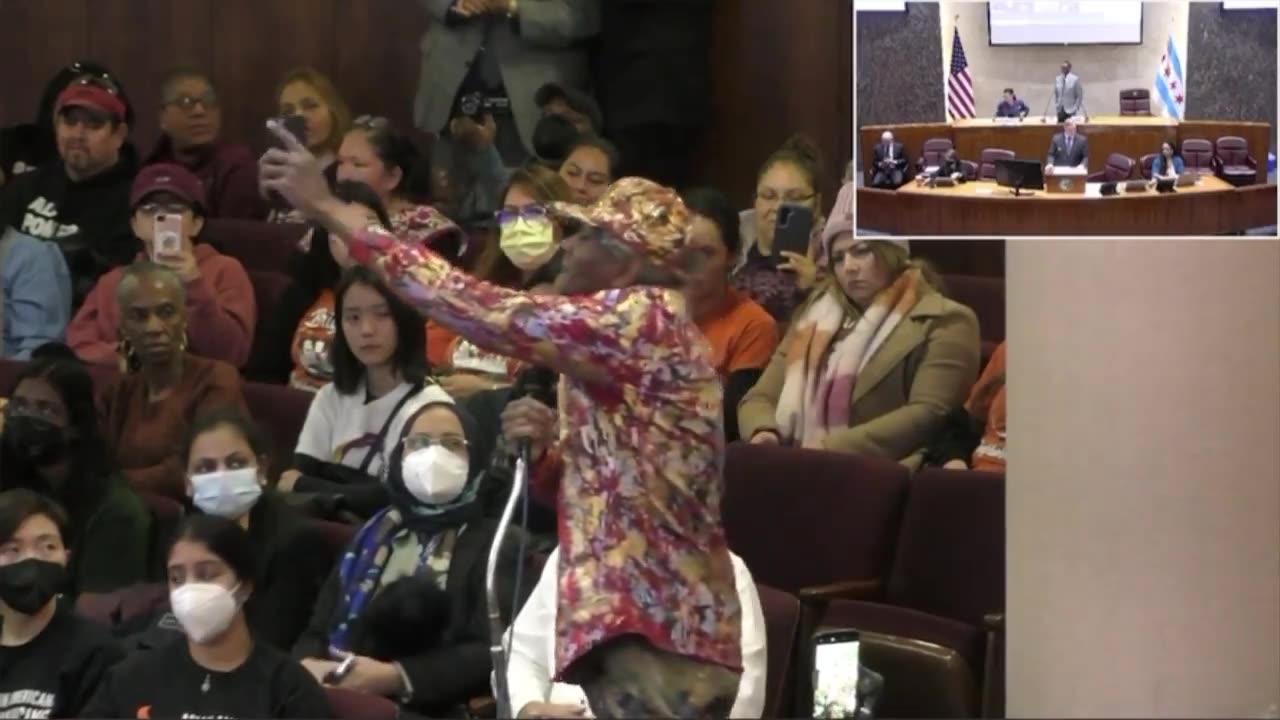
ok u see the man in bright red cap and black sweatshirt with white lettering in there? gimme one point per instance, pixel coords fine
(81, 203)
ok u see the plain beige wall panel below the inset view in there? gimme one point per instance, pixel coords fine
(1144, 504)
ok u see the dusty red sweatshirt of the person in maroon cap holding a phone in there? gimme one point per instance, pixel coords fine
(221, 313)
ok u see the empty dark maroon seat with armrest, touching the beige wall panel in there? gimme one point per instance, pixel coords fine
(948, 585)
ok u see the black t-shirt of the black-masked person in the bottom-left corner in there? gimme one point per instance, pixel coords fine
(56, 673)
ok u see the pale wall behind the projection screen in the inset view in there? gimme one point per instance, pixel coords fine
(1105, 70)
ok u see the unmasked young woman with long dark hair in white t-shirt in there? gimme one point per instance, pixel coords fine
(380, 380)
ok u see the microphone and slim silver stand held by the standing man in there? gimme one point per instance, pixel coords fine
(538, 384)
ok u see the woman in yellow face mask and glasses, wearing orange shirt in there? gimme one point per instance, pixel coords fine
(525, 257)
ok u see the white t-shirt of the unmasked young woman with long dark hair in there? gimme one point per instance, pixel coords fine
(342, 429)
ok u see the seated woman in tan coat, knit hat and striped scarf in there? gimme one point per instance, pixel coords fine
(875, 361)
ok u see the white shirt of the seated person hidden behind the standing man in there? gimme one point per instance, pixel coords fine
(533, 648)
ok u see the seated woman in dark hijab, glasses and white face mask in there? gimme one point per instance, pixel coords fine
(404, 616)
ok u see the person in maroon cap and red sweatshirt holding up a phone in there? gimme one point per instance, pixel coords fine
(168, 215)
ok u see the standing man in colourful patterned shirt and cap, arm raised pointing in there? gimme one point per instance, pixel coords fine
(648, 618)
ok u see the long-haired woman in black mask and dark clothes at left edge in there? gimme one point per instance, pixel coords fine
(52, 445)
